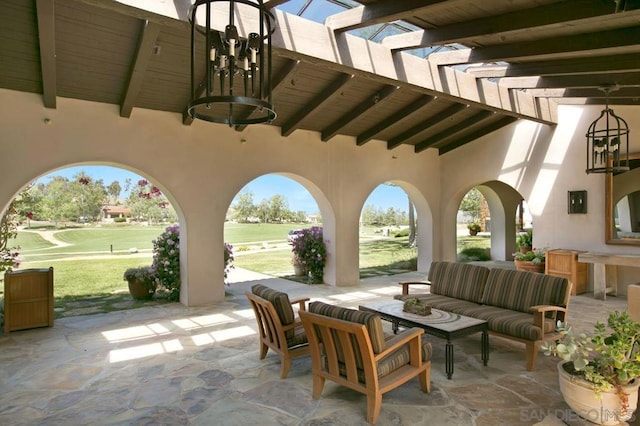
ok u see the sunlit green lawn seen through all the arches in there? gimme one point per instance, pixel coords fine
(101, 277)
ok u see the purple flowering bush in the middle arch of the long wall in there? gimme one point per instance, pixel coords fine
(309, 250)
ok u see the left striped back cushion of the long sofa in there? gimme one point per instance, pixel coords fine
(459, 280)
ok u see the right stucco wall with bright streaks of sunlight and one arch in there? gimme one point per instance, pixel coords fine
(542, 163)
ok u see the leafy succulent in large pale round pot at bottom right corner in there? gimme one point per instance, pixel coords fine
(599, 373)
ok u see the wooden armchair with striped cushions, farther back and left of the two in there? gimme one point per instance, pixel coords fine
(278, 328)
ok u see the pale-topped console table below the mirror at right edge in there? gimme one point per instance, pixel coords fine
(605, 276)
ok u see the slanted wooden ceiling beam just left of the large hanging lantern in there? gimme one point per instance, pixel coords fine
(146, 45)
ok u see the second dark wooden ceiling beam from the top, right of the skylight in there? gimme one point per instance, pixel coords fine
(501, 25)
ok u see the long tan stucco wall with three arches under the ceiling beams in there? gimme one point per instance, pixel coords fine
(202, 167)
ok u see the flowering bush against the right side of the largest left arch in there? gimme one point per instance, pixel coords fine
(166, 261)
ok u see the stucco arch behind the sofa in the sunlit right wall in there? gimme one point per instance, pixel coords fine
(503, 201)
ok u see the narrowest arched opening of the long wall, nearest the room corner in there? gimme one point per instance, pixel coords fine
(395, 231)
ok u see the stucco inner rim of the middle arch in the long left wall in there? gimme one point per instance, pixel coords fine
(326, 211)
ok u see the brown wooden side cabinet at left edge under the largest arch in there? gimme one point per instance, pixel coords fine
(28, 299)
